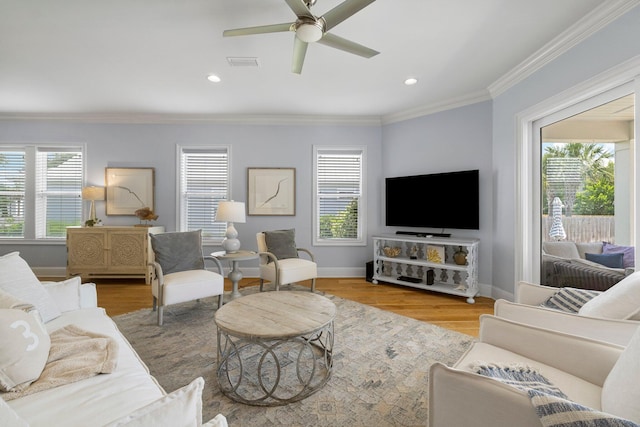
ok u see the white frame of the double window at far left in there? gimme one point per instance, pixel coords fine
(34, 232)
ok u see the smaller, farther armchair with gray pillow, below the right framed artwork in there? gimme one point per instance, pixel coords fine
(280, 260)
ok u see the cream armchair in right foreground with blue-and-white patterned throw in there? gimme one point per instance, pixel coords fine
(486, 386)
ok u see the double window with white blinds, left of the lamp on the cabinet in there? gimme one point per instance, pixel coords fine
(40, 189)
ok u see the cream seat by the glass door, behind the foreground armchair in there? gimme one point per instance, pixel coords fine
(526, 309)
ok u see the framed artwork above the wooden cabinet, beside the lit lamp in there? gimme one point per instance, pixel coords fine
(129, 189)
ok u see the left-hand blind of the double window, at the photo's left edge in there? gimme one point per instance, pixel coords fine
(12, 193)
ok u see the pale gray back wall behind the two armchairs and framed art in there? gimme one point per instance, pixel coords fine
(154, 145)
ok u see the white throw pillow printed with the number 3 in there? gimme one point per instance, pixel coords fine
(24, 351)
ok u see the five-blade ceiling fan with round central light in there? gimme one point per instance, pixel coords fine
(310, 28)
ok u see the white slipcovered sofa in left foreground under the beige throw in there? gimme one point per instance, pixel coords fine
(127, 396)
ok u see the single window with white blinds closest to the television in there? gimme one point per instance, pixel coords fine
(338, 179)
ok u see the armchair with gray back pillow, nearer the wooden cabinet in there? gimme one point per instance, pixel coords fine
(178, 271)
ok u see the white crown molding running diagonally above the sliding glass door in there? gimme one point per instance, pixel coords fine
(591, 23)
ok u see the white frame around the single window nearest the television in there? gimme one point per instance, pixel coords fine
(361, 239)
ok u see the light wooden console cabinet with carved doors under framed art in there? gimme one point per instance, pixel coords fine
(110, 251)
